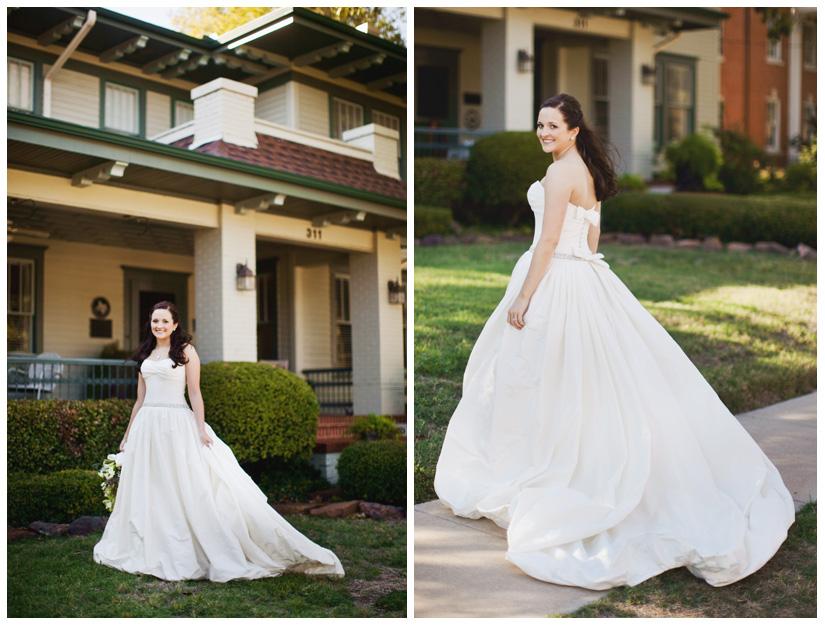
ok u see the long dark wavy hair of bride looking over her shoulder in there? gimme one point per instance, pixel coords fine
(590, 145)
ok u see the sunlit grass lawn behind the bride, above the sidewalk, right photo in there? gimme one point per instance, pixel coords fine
(748, 322)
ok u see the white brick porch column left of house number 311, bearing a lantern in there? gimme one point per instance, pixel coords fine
(225, 318)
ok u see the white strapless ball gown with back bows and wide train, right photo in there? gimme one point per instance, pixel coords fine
(594, 440)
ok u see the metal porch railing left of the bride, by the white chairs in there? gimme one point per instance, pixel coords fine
(43, 377)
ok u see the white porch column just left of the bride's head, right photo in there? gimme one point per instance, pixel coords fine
(507, 94)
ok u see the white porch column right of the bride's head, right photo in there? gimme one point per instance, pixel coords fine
(631, 102)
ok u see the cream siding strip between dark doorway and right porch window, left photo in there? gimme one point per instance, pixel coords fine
(313, 323)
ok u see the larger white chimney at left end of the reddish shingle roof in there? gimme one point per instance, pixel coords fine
(225, 110)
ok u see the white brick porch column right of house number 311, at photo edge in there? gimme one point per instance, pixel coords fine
(377, 327)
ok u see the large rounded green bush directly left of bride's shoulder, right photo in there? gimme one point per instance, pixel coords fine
(500, 170)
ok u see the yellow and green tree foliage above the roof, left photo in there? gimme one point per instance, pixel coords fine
(204, 21)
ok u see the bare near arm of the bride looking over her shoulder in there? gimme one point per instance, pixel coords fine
(557, 190)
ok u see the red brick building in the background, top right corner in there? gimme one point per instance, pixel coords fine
(768, 89)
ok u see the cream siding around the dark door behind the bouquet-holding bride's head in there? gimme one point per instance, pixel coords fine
(75, 274)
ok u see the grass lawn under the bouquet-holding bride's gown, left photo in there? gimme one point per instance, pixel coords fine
(57, 577)
